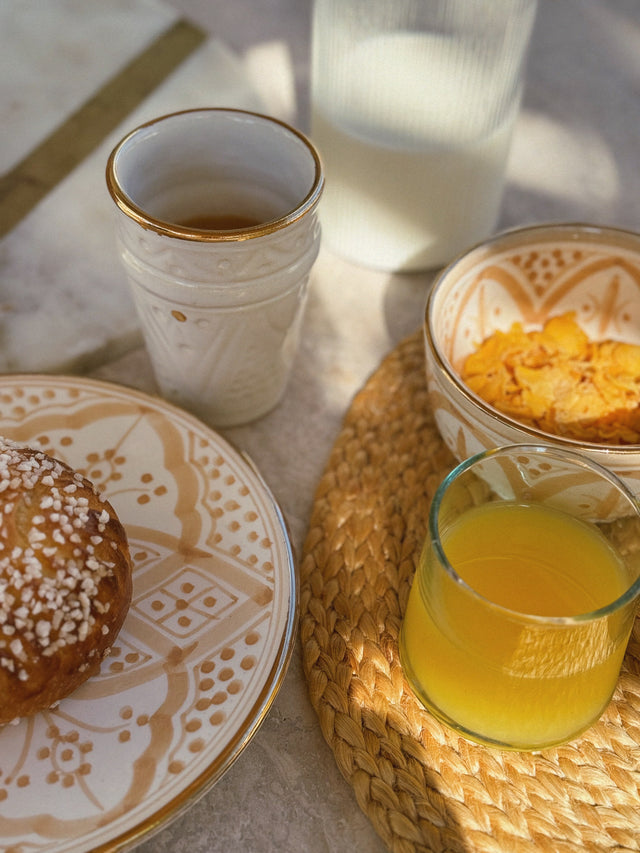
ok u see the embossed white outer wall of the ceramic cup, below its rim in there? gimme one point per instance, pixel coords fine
(231, 327)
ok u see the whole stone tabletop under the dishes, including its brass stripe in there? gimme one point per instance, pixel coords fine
(64, 303)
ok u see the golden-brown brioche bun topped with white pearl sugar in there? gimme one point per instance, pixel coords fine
(65, 580)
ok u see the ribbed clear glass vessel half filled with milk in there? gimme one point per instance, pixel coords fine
(413, 107)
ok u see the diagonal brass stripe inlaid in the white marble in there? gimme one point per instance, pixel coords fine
(46, 165)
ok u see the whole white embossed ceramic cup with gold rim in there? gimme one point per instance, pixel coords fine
(217, 230)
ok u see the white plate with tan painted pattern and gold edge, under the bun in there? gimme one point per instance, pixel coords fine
(205, 645)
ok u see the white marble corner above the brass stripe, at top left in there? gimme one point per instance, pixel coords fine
(38, 38)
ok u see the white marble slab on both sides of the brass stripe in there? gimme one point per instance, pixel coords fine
(58, 265)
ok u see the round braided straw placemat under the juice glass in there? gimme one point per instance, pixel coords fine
(423, 787)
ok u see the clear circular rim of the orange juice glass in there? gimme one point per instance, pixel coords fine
(631, 592)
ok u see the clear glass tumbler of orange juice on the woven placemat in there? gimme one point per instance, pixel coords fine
(524, 597)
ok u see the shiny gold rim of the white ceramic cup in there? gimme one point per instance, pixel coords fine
(161, 226)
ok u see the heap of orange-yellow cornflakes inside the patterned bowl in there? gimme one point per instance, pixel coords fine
(558, 380)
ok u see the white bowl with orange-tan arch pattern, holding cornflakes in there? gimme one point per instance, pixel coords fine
(528, 275)
